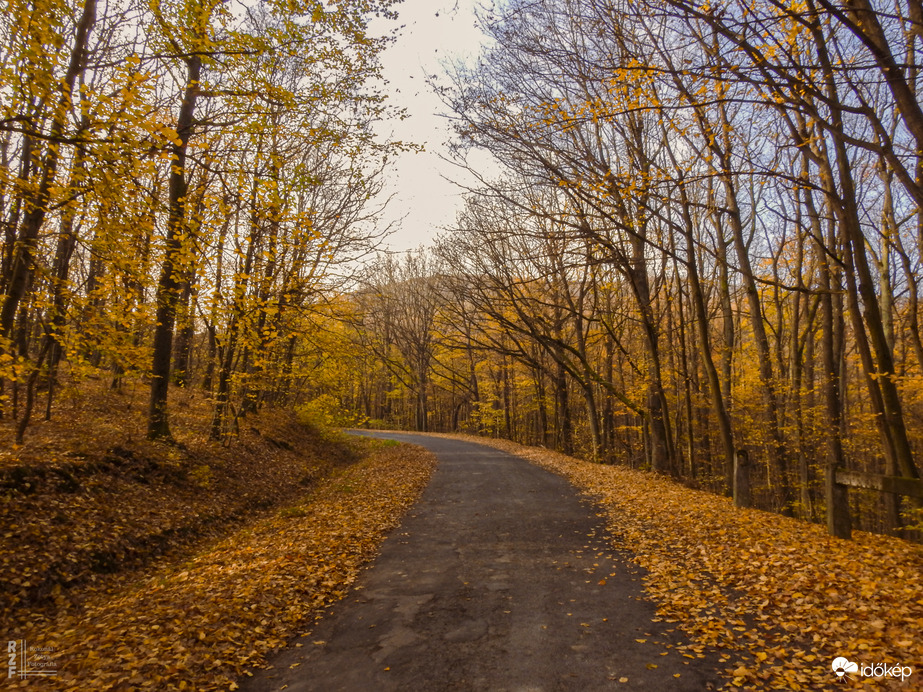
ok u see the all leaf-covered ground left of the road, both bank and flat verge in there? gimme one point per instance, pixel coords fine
(127, 564)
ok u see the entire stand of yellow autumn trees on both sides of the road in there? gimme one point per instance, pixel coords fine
(699, 243)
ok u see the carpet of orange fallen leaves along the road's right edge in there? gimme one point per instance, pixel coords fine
(776, 597)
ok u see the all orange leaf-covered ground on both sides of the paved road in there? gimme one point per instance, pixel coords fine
(127, 564)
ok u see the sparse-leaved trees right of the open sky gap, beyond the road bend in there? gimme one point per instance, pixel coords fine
(699, 246)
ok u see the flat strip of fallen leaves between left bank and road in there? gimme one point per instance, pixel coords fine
(204, 624)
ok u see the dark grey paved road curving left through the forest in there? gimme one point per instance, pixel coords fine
(499, 579)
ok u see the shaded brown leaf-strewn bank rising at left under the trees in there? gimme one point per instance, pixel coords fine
(84, 504)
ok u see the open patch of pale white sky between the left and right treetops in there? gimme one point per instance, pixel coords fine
(434, 31)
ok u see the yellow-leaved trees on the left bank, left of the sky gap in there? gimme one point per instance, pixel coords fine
(179, 185)
